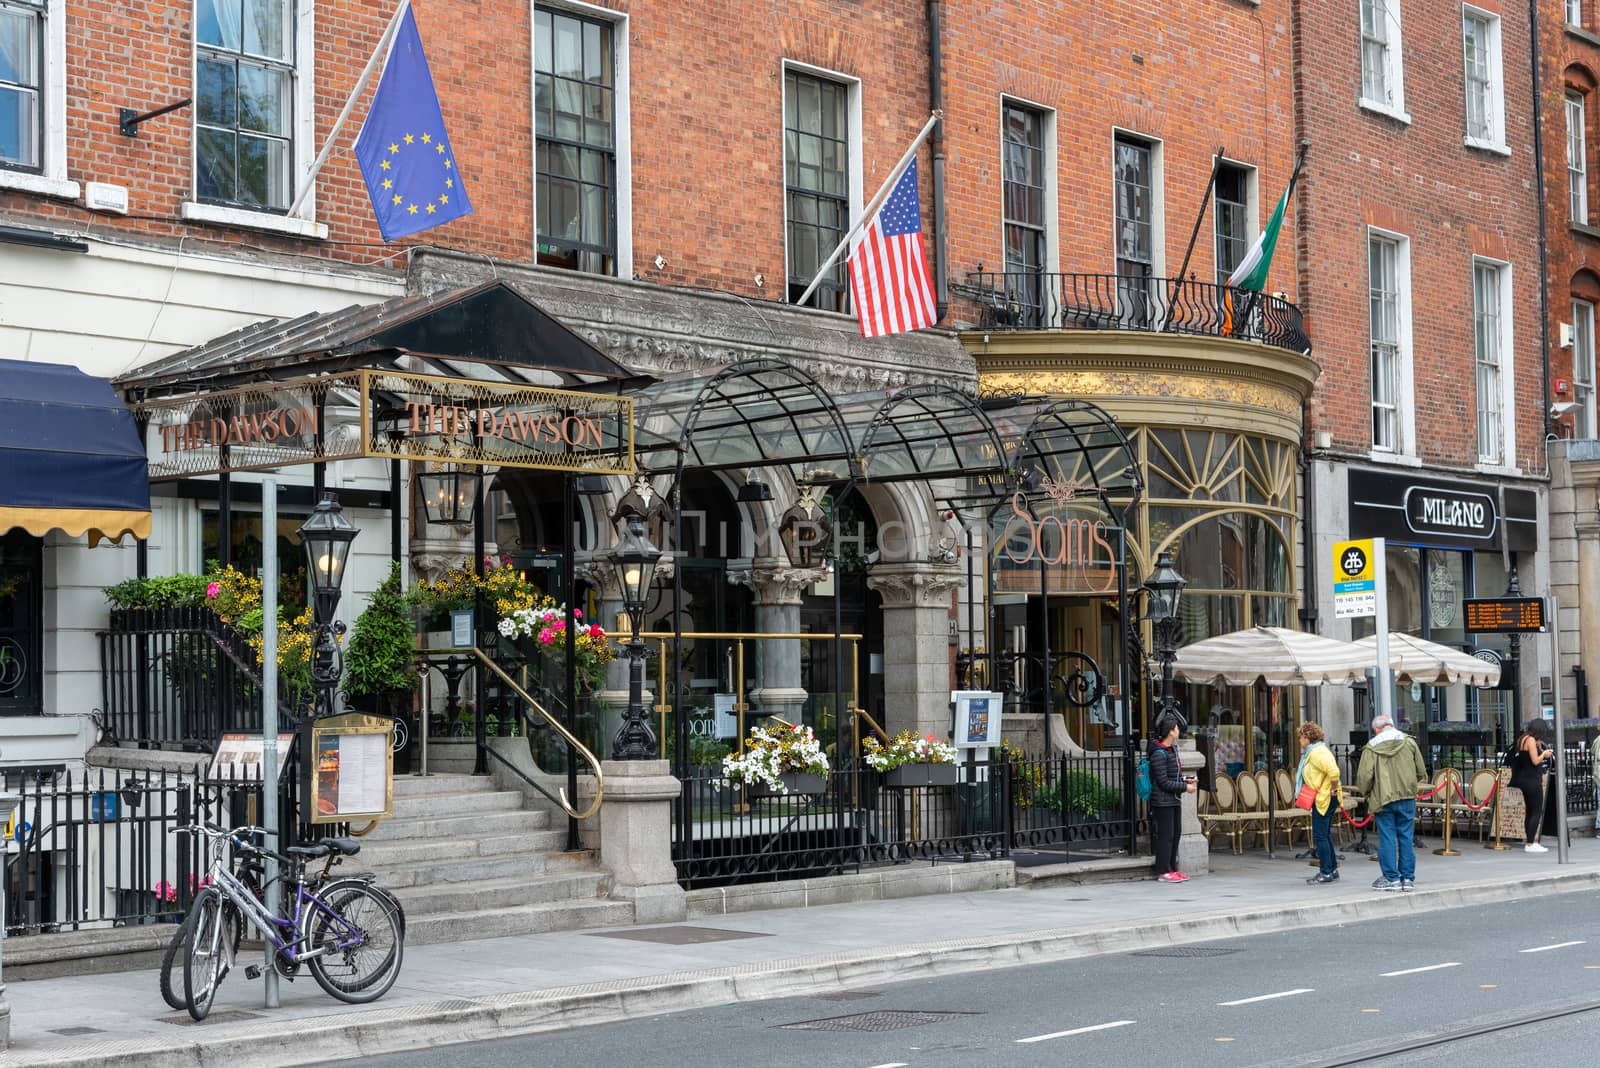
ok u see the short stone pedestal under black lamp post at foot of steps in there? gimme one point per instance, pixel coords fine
(636, 839)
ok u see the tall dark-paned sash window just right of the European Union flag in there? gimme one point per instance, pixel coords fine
(575, 124)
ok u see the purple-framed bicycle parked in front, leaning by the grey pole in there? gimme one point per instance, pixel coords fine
(346, 933)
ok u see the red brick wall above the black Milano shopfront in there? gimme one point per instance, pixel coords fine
(1452, 202)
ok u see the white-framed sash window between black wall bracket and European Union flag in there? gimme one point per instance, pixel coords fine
(246, 103)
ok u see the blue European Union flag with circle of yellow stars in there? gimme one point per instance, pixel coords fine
(404, 151)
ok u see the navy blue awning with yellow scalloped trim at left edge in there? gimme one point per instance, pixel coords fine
(71, 456)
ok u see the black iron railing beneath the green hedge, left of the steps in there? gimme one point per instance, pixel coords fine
(180, 679)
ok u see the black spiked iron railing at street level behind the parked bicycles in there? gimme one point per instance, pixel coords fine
(98, 850)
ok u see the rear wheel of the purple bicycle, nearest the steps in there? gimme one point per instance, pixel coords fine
(361, 939)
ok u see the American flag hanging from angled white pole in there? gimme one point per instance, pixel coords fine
(889, 273)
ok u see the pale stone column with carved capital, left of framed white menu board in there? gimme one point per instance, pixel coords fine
(916, 644)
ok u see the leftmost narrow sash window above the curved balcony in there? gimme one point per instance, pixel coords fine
(1025, 194)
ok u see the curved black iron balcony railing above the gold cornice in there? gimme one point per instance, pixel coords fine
(1070, 301)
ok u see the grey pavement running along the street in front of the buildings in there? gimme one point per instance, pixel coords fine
(530, 984)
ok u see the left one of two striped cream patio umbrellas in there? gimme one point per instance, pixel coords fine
(1274, 656)
